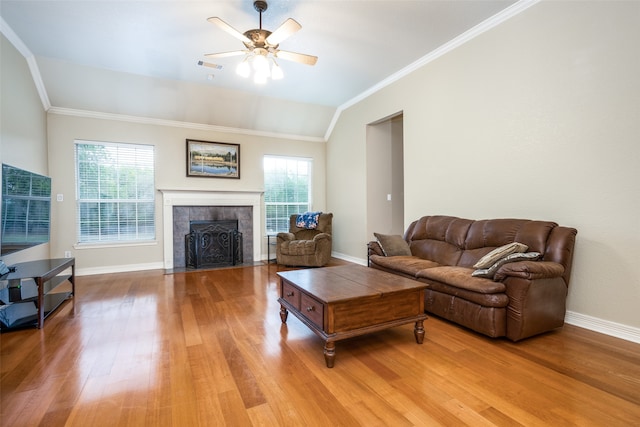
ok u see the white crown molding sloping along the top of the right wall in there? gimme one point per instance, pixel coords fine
(468, 35)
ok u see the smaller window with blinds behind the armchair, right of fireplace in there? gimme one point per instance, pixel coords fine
(287, 190)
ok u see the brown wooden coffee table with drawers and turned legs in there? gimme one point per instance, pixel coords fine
(351, 300)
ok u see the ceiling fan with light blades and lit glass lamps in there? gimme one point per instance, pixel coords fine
(261, 46)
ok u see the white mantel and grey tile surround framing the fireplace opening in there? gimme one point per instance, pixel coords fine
(181, 206)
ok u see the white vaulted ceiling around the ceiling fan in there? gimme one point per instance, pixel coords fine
(359, 44)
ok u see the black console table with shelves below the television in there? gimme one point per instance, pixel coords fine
(47, 275)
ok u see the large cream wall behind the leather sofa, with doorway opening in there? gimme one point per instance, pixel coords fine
(537, 118)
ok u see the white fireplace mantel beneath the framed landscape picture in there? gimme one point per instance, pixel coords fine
(171, 198)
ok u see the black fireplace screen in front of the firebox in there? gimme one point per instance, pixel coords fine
(215, 243)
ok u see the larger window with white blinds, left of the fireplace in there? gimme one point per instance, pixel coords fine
(115, 192)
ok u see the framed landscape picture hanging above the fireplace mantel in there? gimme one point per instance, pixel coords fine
(213, 159)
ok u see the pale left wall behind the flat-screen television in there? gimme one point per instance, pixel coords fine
(23, 126)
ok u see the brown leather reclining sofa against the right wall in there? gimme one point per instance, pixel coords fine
(523, 299)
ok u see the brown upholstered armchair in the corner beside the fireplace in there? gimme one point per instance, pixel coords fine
(302, 246)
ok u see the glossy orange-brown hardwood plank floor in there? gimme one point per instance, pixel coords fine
(208, 348)
